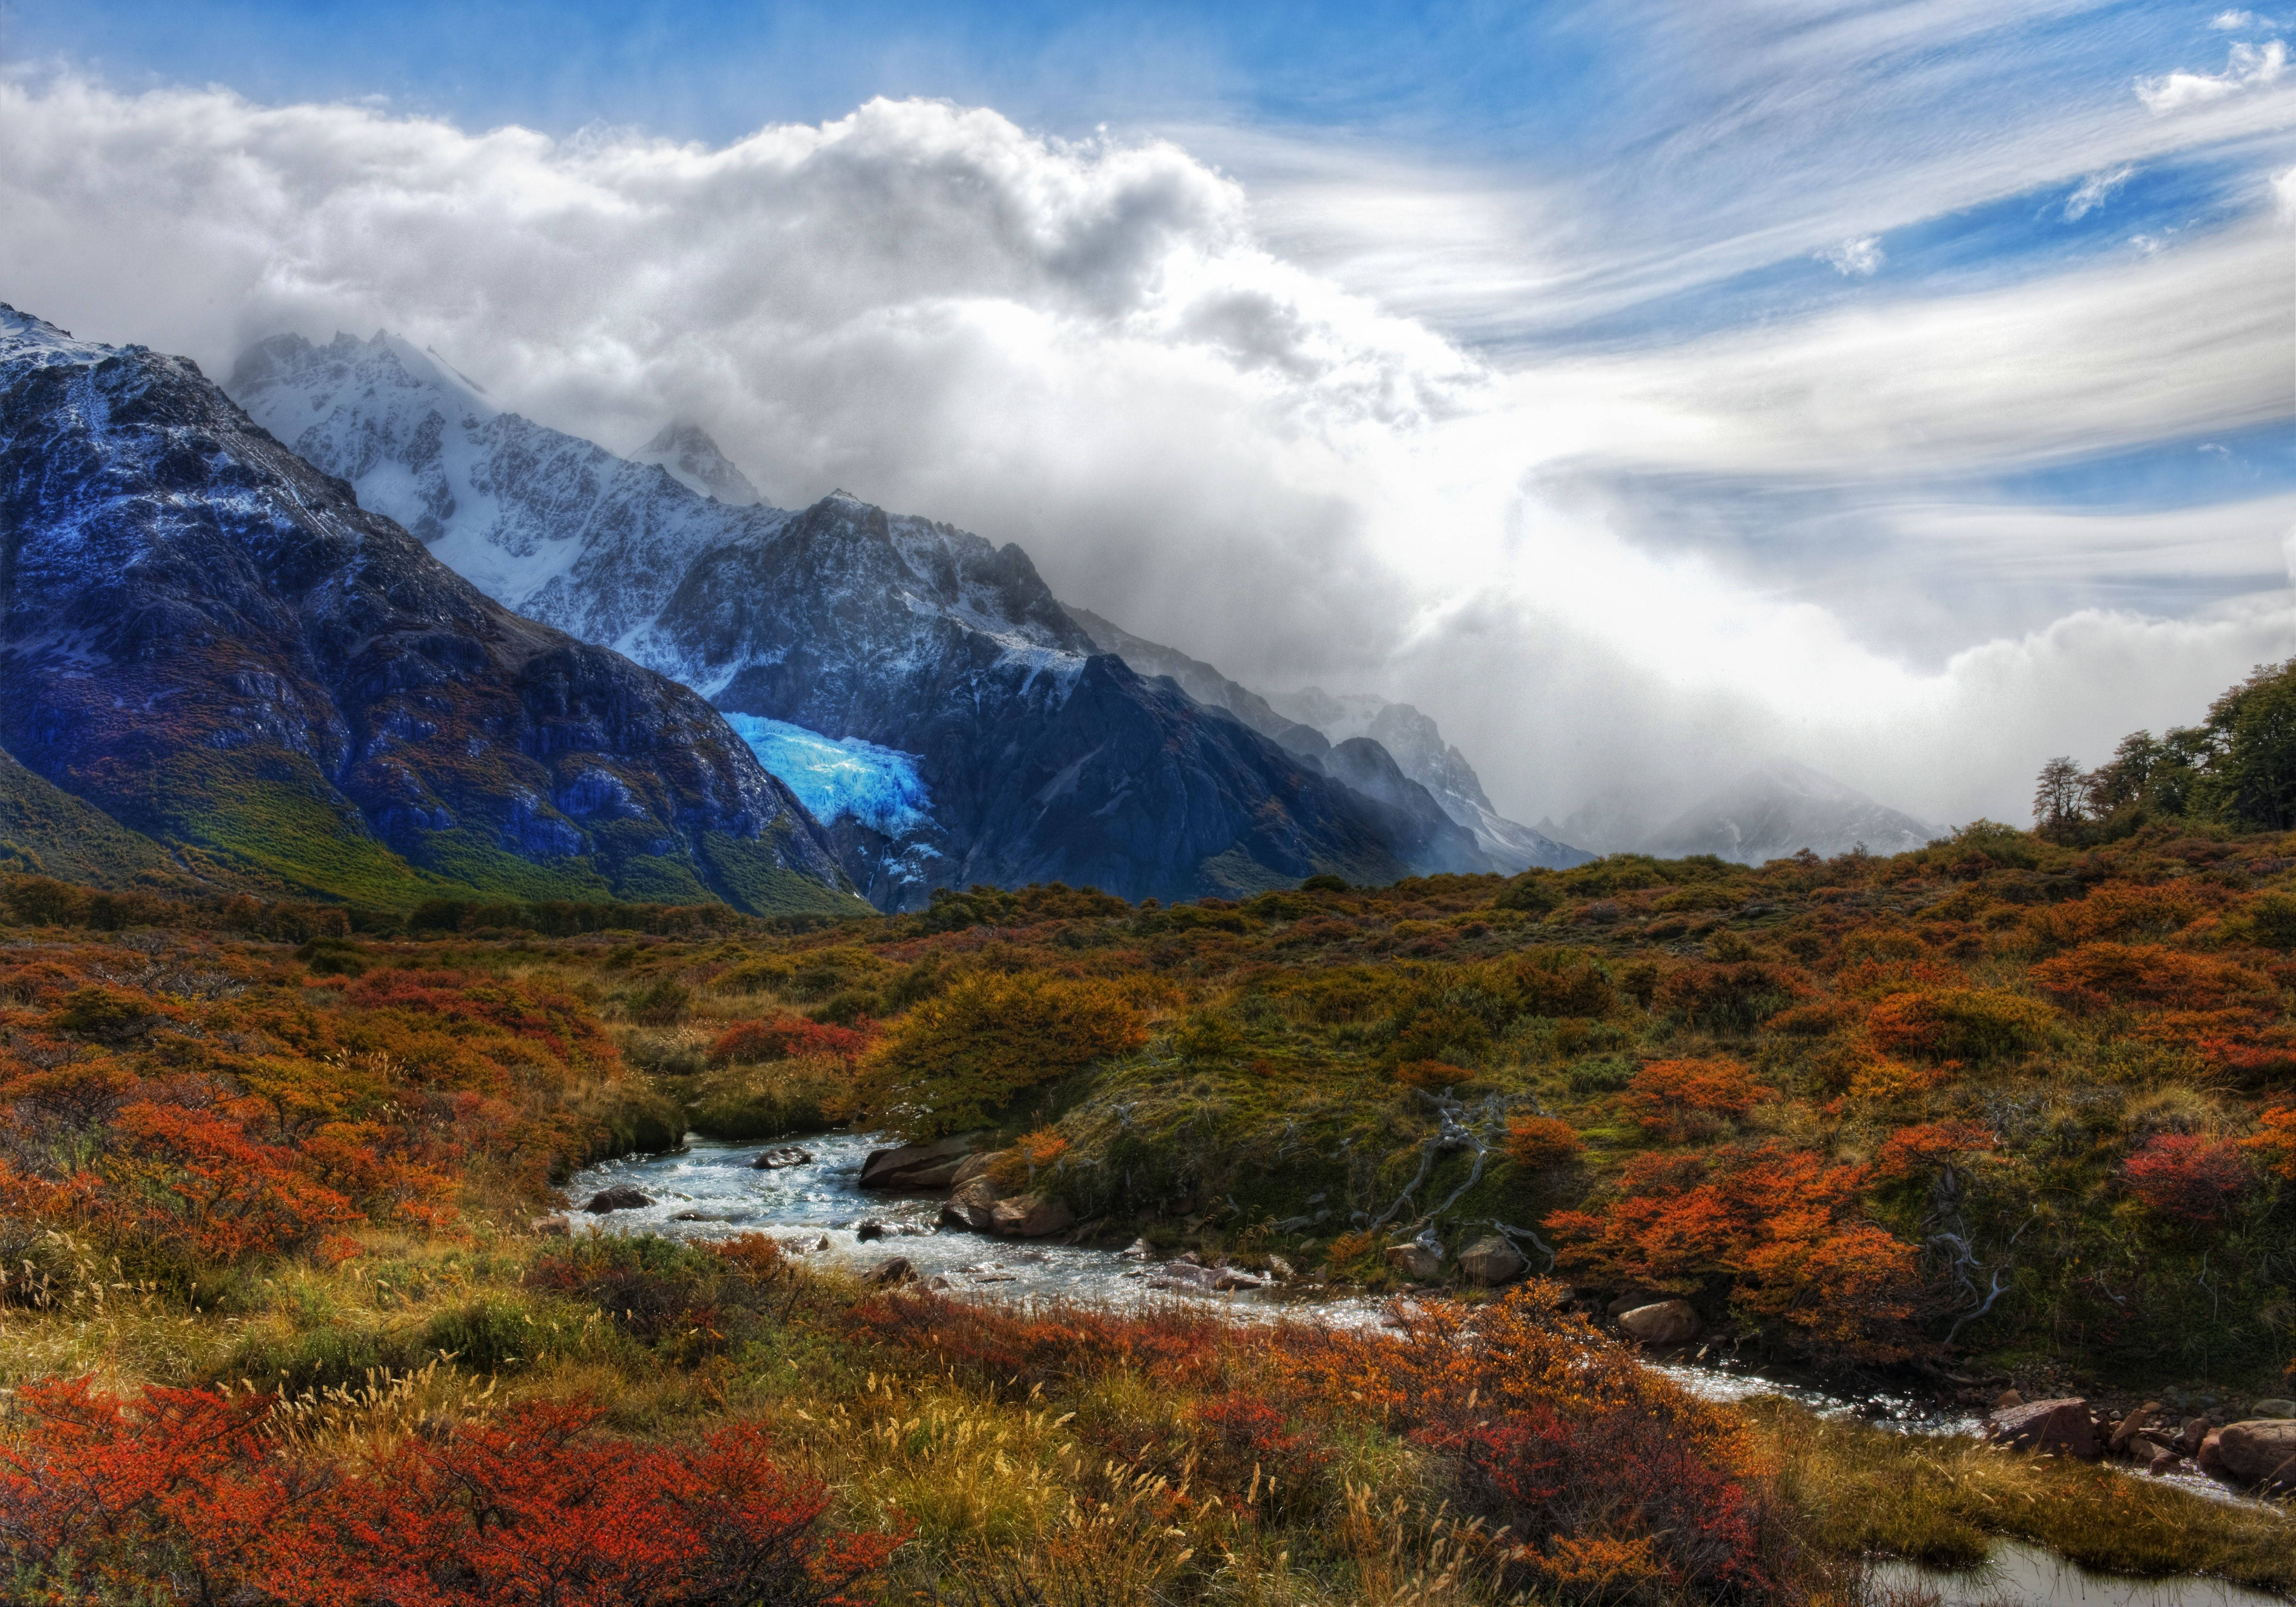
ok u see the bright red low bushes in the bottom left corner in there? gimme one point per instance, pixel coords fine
(194, 1496)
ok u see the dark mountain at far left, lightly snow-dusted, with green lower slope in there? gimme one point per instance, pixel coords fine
(224, 653)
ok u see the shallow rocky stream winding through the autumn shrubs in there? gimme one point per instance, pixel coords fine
(713, 1190)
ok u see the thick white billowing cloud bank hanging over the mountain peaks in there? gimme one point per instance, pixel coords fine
(1087, 350)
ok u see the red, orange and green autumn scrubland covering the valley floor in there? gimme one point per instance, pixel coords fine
(274, 1326)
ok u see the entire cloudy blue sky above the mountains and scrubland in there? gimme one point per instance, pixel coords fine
(1764, 373)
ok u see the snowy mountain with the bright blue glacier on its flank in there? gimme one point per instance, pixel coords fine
(915, 671)
